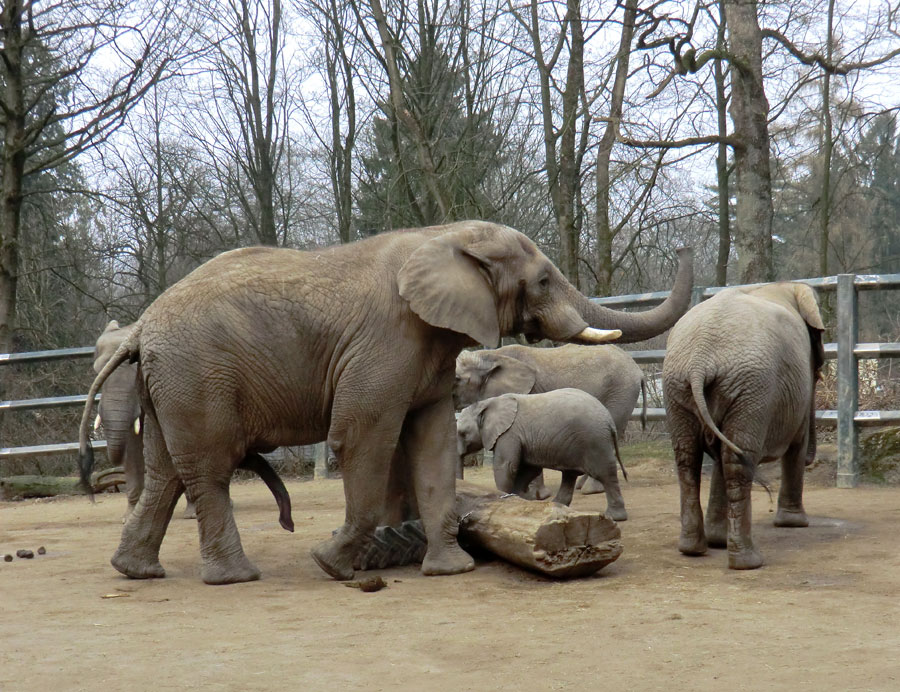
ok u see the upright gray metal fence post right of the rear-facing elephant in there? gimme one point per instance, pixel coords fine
(847, 383)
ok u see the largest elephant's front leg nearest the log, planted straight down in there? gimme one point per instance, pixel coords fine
(430, 441)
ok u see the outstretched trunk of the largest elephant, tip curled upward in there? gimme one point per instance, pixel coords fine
(639, 326)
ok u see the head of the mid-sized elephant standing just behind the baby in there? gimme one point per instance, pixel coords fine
(486, 374)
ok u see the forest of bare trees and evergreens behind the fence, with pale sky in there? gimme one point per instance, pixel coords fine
(142, 137)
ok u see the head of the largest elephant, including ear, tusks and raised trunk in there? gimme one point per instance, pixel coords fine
(487, 281)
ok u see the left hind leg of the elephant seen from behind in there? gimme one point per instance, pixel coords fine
(686, 435)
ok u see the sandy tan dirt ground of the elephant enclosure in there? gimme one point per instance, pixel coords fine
(822, 614)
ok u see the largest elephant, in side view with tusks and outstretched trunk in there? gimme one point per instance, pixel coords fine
(357, 343)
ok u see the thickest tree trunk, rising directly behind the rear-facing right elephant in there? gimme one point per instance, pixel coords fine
(749, 113)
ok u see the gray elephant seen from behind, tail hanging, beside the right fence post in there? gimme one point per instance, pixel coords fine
(739, 383)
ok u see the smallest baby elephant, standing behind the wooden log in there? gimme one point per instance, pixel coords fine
(564, 429)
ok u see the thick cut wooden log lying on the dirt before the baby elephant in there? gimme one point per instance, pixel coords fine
(545, 537)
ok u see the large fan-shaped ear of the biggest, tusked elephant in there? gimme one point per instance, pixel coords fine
(447, 283)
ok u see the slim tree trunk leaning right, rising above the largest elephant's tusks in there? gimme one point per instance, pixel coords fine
(604, 230)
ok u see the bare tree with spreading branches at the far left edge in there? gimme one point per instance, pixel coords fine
(56, 103)
